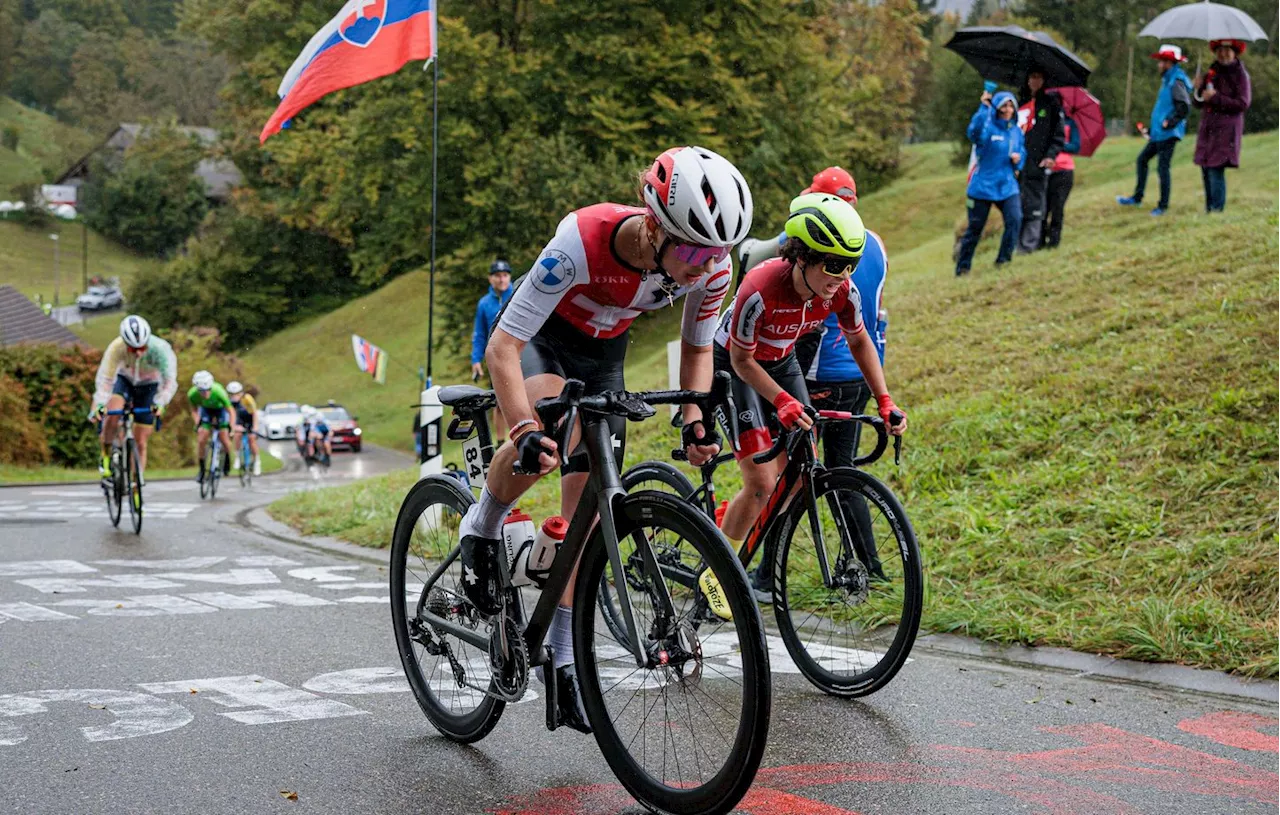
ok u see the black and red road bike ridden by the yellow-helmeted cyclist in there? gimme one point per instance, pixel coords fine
(840, 558)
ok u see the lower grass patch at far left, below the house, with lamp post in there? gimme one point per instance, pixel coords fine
(28, 260)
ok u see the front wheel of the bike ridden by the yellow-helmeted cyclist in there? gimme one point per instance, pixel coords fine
(796, 588)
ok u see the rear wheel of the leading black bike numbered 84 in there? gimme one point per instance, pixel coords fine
(412, 543)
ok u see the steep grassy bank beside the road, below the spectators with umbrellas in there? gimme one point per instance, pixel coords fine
(1095, 455)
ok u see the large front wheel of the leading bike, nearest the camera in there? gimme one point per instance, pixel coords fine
(746, 640)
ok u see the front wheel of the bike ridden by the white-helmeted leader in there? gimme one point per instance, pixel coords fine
(687, 731)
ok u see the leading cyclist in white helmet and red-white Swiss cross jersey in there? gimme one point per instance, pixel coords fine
(569, 319)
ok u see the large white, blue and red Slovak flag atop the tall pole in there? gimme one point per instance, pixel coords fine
(367, 40)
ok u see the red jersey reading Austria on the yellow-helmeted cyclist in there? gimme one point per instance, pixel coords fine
(767, 317)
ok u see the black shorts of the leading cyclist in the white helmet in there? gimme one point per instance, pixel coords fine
(561, 350)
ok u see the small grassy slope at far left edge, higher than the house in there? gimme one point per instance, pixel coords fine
(45, 146)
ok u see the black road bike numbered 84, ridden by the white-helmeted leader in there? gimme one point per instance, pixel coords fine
(680, 708)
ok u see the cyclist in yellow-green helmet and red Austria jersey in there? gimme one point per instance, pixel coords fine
(779, 303)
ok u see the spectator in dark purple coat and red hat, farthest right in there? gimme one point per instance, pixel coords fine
(1224, 94)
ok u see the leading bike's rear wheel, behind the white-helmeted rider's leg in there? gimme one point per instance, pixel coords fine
(427, 574)
